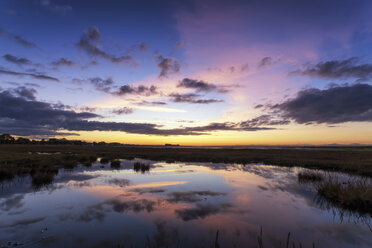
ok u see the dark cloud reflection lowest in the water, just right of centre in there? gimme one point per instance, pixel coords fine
(201, 211)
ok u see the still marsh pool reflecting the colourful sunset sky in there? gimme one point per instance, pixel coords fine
(173, 205)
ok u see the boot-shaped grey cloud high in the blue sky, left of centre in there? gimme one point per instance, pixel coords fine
(89, 43)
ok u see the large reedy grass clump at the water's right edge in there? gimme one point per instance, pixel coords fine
(354, 195)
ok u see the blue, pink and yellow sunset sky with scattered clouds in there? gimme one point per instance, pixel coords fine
(187, 72)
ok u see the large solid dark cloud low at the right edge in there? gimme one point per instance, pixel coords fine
(337, 104)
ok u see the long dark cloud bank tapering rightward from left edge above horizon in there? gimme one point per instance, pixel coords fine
(22, 116)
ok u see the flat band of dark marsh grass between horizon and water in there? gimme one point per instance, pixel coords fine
(21, 159)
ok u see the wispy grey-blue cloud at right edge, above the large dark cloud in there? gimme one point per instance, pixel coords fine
(339, 69)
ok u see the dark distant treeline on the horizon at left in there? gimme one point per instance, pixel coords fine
(8, 139)
